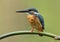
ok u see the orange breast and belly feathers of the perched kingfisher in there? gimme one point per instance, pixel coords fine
(34, 21)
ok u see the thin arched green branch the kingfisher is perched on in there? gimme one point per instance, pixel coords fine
(28, 32)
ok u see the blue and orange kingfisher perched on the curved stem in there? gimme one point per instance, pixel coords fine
(35, 19)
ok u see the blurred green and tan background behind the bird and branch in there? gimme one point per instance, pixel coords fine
(11, 21)
